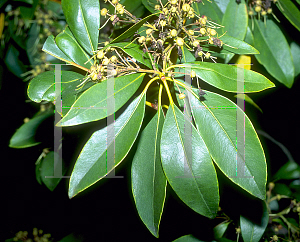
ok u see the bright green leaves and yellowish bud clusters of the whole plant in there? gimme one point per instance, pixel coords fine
(157, 62)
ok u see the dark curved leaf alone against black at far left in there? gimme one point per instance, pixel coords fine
(25, 136)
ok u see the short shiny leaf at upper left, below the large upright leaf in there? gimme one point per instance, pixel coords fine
(69, 45)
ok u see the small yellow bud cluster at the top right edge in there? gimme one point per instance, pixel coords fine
(260, 7)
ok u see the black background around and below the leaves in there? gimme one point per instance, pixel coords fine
(106, 211)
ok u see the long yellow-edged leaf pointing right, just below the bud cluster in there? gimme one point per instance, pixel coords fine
(224, 77)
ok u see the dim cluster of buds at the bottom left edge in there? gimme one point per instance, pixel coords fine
(37, 236)
